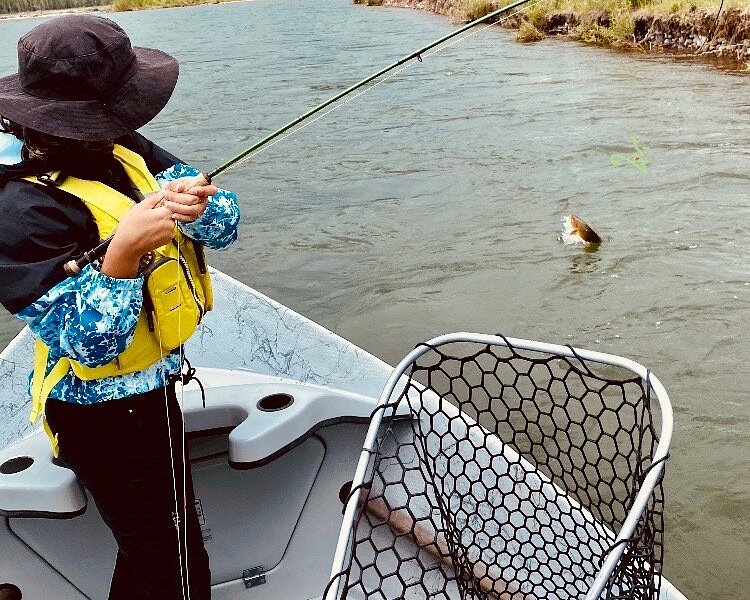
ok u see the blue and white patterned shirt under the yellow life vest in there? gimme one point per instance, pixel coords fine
(91, 318)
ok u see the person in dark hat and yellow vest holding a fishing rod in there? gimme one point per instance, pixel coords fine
(109, 339)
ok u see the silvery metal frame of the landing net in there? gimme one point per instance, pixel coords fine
(651, 476)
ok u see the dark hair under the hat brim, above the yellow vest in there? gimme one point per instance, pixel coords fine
(42, 153)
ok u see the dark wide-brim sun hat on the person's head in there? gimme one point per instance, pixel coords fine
(80, 78)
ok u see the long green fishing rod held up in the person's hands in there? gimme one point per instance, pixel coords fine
(73, 267)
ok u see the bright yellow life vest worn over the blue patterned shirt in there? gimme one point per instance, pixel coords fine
(176, 292)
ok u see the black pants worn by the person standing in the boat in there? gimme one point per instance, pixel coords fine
(120, 451)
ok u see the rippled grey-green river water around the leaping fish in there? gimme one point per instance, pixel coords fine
(433, 204)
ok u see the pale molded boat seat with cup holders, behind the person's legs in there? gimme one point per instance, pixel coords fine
(264, 416)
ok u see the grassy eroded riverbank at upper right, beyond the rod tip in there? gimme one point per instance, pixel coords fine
(661, 26)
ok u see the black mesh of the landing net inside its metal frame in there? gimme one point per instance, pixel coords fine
(510, 480)
